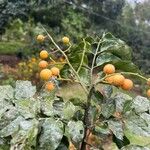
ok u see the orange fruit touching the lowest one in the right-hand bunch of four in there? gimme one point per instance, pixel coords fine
(118, 79)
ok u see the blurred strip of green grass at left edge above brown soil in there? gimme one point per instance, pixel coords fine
(11, 47)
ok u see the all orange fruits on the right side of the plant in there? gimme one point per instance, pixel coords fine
(118, 79)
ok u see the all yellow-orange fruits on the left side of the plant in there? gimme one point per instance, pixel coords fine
(47, 74)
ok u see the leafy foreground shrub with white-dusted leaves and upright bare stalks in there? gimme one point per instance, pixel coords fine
(46, 121)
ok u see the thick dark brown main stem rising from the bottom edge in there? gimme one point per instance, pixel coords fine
(86, 120)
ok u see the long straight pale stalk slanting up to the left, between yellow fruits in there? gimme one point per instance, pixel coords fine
(67, 60)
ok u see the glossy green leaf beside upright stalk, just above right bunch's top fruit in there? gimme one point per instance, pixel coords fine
(106, 58)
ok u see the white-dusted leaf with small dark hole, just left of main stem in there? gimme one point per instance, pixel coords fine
(75, 130)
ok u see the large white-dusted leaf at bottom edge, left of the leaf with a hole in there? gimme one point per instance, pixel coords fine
(51, 134)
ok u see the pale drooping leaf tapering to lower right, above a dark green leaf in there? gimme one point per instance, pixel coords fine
(116, 127)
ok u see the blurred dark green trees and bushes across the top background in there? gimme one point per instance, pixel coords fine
(77, 18)
